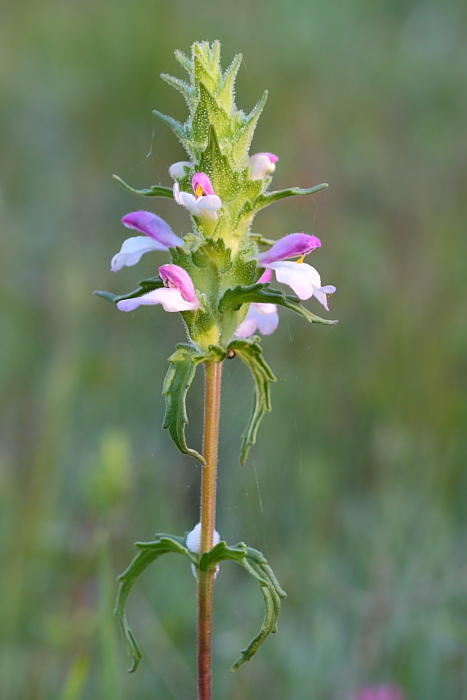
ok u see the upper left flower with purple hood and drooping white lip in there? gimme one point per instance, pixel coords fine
(158, 236)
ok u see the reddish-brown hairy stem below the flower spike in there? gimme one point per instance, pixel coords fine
(212, 399)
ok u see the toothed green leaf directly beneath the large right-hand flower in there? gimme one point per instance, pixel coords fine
(262, 294)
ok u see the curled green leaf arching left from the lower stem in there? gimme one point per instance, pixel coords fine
(149, 552)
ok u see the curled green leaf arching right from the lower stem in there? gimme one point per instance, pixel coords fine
(257, 566)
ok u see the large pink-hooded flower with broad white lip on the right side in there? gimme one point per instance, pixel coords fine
(302, 278)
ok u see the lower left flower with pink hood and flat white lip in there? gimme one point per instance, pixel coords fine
(178, 293)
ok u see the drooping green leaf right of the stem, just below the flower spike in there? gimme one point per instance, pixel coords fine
(251, 354)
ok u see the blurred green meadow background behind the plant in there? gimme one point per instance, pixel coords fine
(356, 490)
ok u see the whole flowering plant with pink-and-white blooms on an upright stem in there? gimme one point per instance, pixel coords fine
(219, 279)
